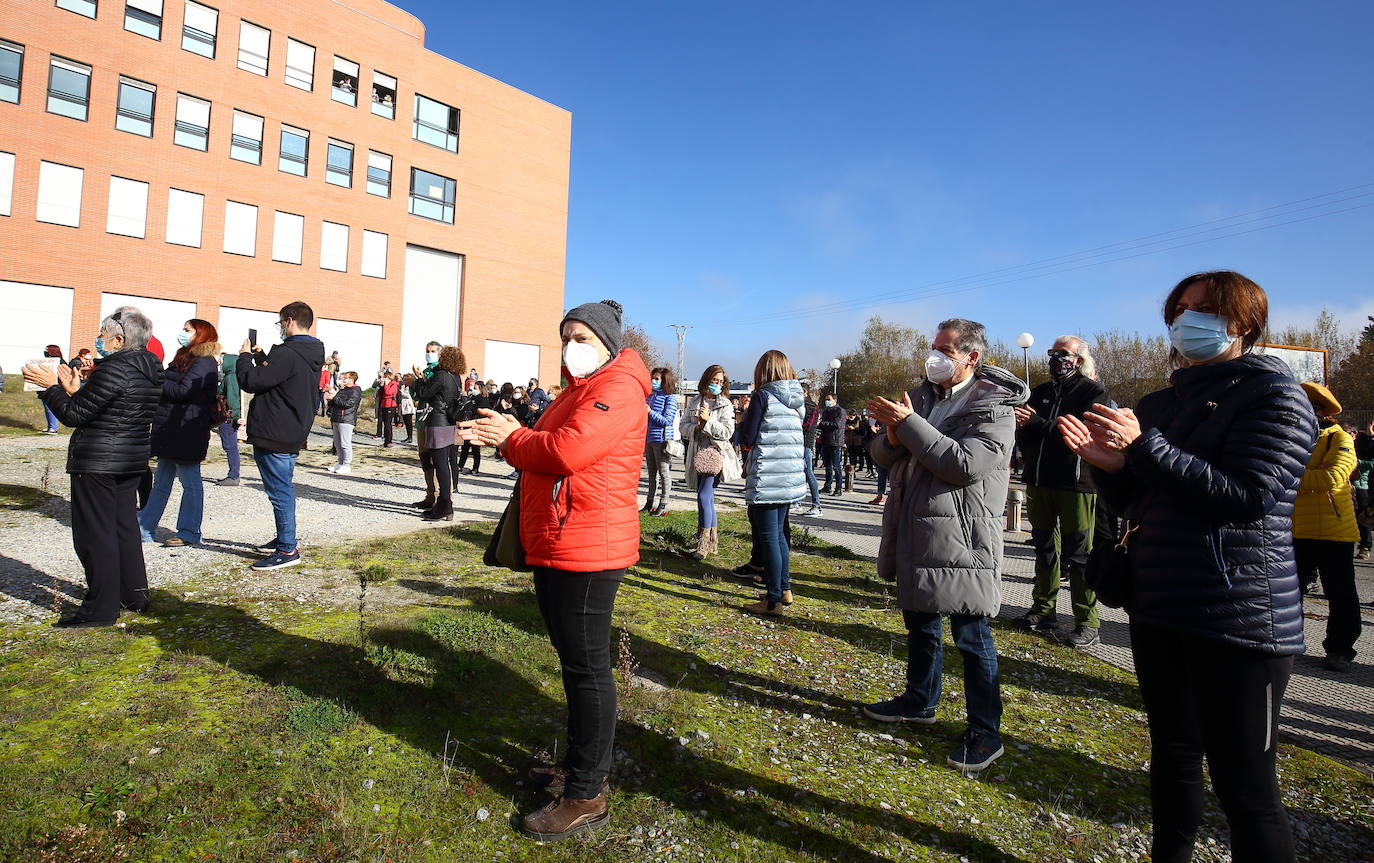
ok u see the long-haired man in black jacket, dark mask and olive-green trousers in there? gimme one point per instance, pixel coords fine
(1061, 500)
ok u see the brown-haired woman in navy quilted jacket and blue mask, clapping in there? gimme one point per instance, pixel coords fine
(1204, 476)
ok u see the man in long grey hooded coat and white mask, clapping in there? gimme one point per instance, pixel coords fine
(947, 451)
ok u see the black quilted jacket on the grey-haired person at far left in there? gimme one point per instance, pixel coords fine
(112, 414)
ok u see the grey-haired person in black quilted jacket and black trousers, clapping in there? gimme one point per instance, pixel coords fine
(106, 458)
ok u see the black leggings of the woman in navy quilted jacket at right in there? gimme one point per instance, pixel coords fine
(1206, 697)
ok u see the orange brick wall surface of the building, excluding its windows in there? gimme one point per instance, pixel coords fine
(512, 174)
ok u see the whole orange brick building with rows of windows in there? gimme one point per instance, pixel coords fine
(219, 160)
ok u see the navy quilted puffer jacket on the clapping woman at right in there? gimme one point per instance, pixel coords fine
(1211, 483)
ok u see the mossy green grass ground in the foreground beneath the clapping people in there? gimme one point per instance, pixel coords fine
(398, 729)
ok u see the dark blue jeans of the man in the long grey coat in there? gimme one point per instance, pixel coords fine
(925, 663)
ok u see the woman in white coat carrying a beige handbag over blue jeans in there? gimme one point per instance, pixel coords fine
(708, 424)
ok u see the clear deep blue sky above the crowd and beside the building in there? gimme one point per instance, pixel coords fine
(736, 164)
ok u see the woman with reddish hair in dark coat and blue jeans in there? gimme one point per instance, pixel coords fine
(182, 434)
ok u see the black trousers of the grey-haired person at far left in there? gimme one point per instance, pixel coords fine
(105, 535)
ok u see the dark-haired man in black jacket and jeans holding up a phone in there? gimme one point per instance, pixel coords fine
(281, 417)
